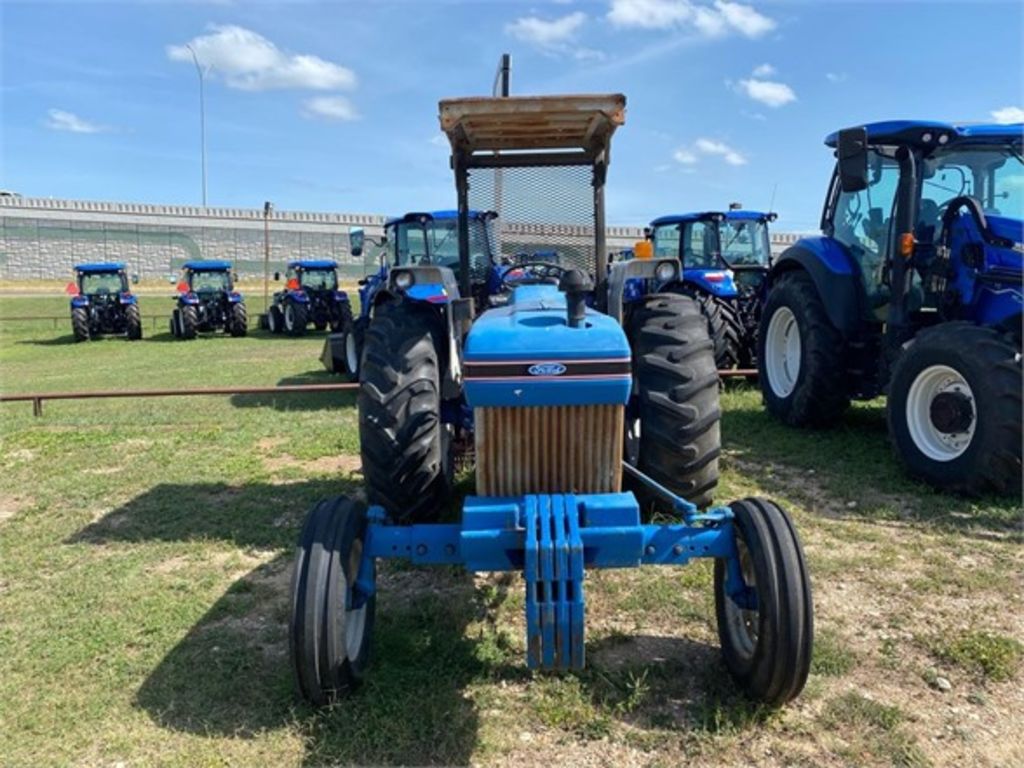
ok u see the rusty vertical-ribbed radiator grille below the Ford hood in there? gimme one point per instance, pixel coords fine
(549, 450)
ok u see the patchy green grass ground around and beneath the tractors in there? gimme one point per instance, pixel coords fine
(146, 549)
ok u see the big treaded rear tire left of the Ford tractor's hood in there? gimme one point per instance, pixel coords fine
(406, 457)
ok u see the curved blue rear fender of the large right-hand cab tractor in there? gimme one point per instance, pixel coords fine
(836, 277)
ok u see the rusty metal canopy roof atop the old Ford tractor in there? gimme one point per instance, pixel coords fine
(532, 123)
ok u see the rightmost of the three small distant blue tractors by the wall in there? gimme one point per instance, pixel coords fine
(311, 295)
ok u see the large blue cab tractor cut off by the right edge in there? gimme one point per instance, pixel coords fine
(914, 290)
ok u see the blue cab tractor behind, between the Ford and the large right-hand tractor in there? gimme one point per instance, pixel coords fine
(726, 260)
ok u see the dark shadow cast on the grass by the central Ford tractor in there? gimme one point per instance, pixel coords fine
(231, 673)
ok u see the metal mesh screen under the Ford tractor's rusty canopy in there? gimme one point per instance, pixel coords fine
(541, 210)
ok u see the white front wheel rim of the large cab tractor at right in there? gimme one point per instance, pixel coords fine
(933, 443)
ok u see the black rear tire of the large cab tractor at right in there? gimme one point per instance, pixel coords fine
(818, 397)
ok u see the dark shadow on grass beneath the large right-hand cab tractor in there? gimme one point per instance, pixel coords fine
(850, 472)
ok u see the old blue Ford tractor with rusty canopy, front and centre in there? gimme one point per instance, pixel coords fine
(561, 391)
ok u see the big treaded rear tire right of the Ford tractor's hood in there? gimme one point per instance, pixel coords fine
(676, 398)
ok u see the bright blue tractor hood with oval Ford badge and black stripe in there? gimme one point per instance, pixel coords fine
(526, 354)
